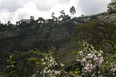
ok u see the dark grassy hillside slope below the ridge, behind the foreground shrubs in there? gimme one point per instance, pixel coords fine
(44, 35)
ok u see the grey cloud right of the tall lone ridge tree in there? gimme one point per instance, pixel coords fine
(92, 6)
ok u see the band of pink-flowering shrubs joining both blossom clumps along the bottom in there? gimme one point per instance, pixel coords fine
(93, 62)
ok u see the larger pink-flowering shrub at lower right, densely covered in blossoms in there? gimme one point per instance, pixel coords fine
(94, 64)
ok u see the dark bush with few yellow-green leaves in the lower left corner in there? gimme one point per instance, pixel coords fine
(19, 65)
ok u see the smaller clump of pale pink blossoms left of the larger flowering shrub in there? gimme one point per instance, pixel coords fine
(49, 66)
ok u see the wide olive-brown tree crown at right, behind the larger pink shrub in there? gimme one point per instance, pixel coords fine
(100, 34)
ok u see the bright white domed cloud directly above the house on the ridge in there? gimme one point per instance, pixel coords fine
(29, 9)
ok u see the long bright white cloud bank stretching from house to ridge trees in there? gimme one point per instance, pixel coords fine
(31, 9)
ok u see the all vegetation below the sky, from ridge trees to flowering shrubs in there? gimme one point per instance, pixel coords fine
(80, 47)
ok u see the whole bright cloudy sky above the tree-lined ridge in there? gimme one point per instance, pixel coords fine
(15, 10)
